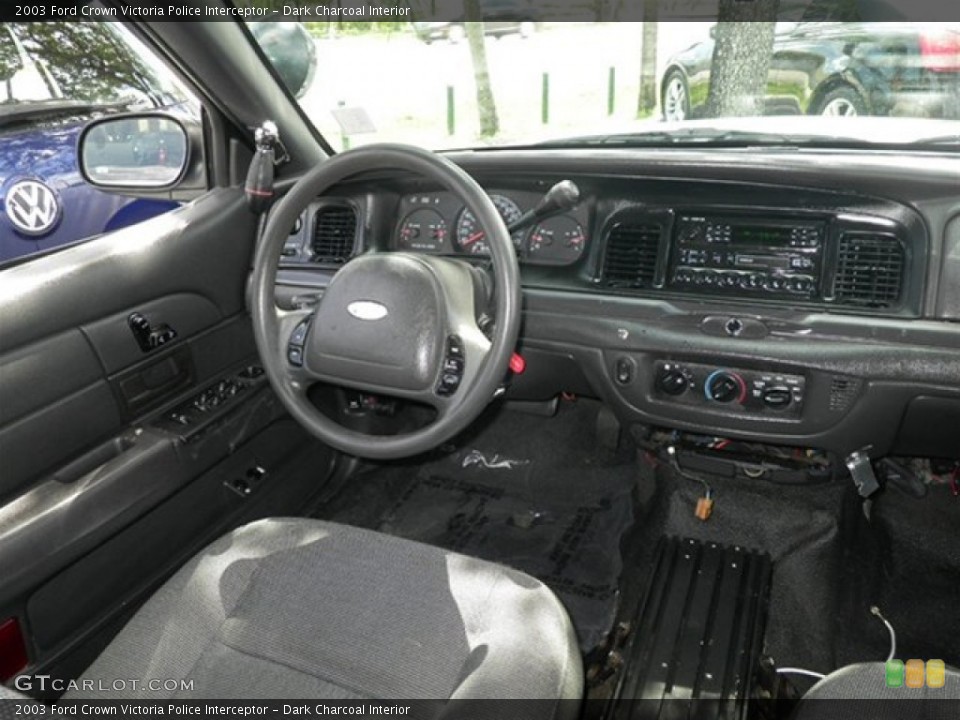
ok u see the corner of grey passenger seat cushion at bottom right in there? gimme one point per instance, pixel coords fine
(867, 682)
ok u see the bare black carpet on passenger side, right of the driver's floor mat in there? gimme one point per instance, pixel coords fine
(831, 564)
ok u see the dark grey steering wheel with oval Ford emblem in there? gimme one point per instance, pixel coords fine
(389, 323)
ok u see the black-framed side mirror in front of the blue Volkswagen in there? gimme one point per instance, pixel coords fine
(141, 153)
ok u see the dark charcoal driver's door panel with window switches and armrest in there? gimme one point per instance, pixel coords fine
(84, 460)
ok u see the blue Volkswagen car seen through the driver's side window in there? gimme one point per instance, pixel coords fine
(54, 77)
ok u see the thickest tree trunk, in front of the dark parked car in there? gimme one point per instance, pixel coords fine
(741, 58)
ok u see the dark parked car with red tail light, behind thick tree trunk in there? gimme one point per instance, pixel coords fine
(837, 69)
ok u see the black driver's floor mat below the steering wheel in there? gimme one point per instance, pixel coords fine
(557, 518)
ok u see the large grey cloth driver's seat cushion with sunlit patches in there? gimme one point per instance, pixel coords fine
(294, 608)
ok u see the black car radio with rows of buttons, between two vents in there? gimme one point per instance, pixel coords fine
(747, 255)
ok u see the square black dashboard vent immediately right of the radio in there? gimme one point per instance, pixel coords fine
(869, 270)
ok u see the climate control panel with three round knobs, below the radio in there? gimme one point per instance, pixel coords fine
(754, 391)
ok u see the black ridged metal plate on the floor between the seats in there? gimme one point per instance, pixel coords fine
(698, 633)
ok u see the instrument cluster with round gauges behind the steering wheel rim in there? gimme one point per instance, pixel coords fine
(438, 223)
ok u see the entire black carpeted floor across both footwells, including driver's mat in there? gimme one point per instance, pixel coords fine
(538, 494)
